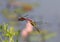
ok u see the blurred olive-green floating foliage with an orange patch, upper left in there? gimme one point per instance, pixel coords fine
(18, 10)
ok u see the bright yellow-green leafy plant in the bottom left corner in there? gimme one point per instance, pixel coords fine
(9, 33)
